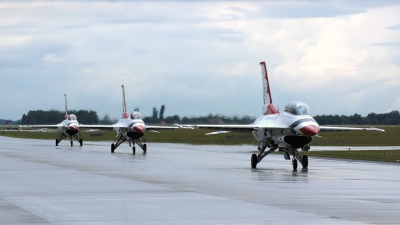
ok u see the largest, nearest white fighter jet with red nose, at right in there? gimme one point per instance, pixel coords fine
(286, 131)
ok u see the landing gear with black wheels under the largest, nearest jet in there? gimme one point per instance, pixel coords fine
(256, 158)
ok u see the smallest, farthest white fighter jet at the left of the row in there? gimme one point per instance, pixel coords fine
(69, 127)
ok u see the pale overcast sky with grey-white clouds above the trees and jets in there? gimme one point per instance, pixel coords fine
(199, 57)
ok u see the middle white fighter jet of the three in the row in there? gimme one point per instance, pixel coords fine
(130, 128)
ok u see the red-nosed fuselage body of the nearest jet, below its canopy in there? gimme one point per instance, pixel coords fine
(285, 129)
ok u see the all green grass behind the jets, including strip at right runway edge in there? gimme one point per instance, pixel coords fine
(391, 137)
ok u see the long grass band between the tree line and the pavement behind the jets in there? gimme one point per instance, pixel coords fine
(391, 137)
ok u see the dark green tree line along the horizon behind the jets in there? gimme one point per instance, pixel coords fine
(158, 117)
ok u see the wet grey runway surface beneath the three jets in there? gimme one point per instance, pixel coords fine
(185, 184)
